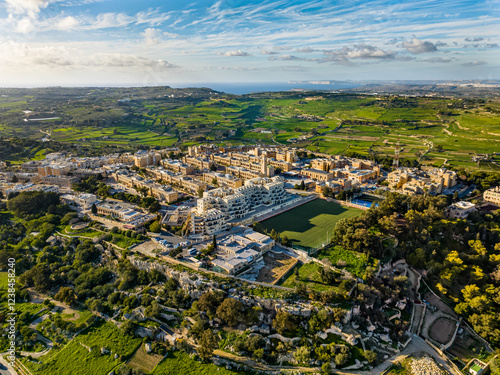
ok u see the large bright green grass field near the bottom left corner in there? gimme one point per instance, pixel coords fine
(75, 358)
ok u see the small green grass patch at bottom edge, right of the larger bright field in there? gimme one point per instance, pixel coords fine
(179, 363)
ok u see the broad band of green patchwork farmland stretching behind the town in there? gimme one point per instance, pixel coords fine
(432, 130)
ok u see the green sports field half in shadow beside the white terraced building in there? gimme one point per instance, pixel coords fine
(311, 224)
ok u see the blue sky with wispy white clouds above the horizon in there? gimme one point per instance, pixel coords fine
(175, 42)
